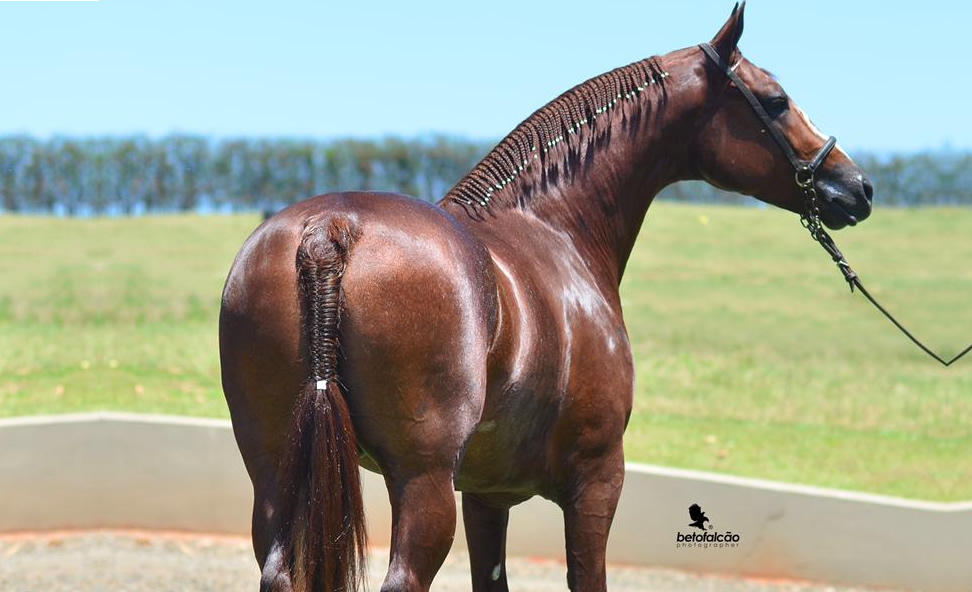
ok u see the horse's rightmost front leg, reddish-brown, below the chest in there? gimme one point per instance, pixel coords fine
(589, 509)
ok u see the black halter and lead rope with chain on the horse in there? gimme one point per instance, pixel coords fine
(810, 219)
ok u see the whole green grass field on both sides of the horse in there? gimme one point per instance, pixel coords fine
(752, 357)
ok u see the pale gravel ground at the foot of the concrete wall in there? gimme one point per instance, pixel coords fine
(150, 562)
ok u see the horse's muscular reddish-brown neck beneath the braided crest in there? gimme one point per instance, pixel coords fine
(596, 186)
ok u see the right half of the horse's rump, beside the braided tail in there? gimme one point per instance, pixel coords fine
(417, 322)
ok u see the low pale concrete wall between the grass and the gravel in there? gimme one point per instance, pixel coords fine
(111, 470)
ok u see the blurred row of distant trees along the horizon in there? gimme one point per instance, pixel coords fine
(138, 175)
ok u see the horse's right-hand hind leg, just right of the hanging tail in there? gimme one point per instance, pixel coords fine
(423, 527)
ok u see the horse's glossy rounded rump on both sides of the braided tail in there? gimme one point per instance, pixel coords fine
(418, 311)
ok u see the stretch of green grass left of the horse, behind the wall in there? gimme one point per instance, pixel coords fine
(113, 313)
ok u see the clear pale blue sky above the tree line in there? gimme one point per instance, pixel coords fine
(882, 76)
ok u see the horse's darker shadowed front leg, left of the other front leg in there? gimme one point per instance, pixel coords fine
(486, 539)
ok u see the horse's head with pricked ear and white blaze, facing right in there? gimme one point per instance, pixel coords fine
(734, 148)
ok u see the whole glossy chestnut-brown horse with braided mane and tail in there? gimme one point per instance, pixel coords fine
(478, 345)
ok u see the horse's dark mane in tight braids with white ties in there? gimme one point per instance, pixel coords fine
(528, 152)
